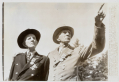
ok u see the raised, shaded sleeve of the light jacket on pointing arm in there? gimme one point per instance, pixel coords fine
(97, 44)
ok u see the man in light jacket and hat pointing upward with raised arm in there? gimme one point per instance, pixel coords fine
(65, 59)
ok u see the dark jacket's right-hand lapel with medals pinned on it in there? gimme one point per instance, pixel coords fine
(36, 58)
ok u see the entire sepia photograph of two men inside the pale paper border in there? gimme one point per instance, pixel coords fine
(55, 41)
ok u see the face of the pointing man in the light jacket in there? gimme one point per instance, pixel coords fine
(64, 36)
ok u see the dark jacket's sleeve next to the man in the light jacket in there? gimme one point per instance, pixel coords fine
(46, 69)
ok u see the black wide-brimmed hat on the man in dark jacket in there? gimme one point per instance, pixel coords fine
(22, 36)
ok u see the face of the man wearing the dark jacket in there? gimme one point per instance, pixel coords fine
(30, 41)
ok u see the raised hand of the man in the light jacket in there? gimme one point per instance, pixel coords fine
(99, 18)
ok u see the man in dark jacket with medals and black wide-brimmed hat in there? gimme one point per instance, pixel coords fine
(29, 66)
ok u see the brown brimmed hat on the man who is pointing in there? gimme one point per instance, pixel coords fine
(58, 30)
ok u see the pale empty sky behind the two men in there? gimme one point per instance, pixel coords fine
(46, 17)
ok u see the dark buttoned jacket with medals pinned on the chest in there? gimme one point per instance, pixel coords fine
(35, 70)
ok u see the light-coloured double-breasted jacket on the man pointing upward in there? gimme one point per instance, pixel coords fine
(63, 66)
